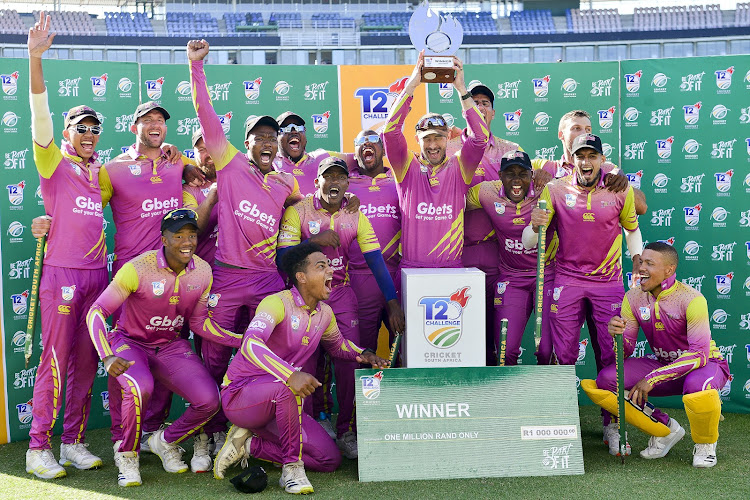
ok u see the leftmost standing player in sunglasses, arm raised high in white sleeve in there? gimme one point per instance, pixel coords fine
(74, 271)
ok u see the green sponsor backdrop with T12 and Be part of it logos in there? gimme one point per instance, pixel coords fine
(685, 178)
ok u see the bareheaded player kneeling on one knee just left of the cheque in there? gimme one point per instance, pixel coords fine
(263, 390)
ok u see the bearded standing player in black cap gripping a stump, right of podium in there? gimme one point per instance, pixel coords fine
(588, 269)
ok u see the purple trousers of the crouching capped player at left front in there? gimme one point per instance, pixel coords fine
(180, 370)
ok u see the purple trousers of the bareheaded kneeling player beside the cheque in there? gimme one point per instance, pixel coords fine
(284, 433)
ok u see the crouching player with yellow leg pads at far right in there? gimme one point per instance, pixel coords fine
(674, 318)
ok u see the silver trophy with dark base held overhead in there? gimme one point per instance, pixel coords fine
(440, 37)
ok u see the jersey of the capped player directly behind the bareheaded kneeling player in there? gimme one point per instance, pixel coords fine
(308, 218)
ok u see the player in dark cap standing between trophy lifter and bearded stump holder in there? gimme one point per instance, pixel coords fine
(508, 203)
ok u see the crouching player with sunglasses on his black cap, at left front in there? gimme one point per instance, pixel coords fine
(159, 290)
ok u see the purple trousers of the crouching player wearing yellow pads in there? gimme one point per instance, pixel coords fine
(712, 376)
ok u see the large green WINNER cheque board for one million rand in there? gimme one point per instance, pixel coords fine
(490, 421)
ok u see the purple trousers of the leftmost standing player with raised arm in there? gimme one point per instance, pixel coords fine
(65, 298)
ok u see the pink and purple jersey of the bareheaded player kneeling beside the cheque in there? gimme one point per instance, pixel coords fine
(284, 334)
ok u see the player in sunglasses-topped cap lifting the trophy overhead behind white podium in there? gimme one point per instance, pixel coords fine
(432, 186)
